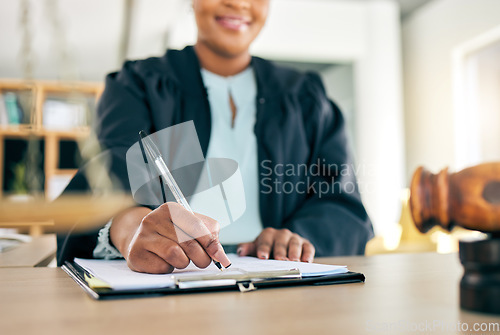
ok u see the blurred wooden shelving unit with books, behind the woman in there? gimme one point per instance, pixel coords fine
(35, 126)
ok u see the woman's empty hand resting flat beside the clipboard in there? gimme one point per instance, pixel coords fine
(282, 244)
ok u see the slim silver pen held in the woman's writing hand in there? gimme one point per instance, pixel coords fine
(155, 156)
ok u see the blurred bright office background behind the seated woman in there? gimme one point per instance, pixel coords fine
(417, 80)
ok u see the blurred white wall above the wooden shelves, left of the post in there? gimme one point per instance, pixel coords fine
(89, 34)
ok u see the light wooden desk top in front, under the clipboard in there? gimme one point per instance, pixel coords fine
(399, 289)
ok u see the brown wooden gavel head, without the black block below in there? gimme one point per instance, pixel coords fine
(469, 198)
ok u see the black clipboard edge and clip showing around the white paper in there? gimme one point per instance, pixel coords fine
(242, 283)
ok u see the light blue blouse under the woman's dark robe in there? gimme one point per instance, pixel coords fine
(236, 142)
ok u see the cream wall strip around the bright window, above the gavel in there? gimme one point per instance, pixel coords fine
(430, 36)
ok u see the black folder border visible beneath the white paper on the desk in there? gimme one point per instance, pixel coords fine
(81, 276)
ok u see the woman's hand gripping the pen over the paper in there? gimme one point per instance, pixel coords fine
(168, 237)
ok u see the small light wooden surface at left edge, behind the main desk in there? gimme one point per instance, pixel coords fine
(39, 252)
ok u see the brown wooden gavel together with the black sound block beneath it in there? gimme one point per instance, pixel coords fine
(470, 199)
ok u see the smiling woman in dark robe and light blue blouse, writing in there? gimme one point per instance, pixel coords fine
(286, 120)
